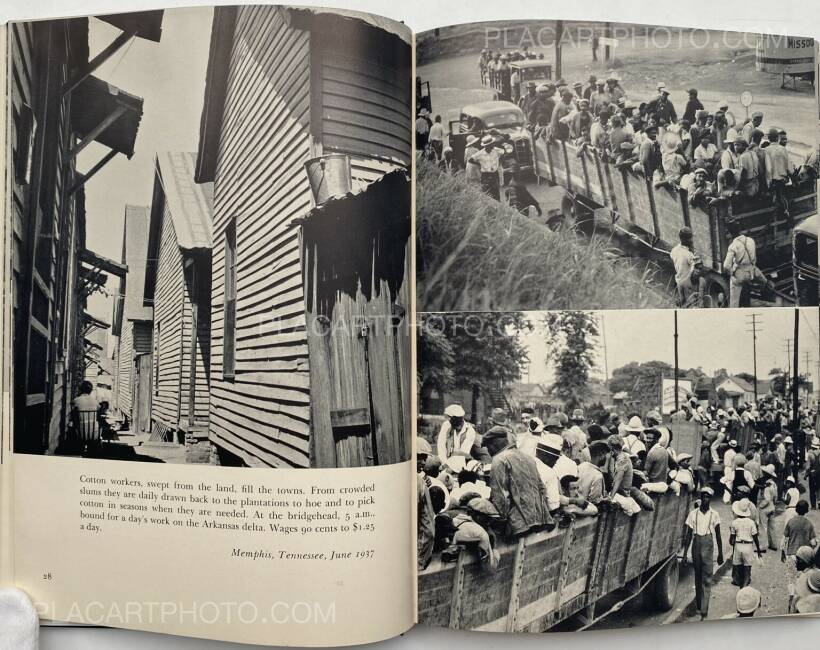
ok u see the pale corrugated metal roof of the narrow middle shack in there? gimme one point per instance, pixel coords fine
(190, 204)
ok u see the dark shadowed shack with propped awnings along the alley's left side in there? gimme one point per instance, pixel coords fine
(55, 109)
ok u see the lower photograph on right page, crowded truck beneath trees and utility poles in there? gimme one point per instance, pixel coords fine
(589, 470)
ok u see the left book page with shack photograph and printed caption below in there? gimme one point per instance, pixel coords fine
(206, 308)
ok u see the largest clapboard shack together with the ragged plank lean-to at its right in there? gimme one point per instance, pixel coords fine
(287, 389)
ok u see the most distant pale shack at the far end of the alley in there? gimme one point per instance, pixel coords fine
(132, 327)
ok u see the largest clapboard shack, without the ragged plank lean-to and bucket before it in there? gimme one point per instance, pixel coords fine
(283, 86)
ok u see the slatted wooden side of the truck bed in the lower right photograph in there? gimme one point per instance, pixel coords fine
(546, 577)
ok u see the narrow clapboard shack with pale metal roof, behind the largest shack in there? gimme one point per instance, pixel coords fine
(178, 286)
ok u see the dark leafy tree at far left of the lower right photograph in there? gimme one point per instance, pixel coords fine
(473, 351)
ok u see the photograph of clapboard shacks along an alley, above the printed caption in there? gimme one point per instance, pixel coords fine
(208, 225)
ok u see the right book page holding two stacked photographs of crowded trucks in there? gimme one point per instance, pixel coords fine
(617, 342)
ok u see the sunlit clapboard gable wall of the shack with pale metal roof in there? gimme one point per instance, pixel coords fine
(170, 301)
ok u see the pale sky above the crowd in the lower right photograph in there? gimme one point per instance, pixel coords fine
(707, 338)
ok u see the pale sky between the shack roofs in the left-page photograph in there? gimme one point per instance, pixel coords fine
(170, 77)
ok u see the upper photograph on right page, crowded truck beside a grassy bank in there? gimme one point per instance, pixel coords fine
(584, 165)
